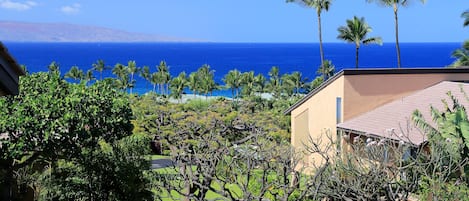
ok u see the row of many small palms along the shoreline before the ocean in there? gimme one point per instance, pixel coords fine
(200, 82)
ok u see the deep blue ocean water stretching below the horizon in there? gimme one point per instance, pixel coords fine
(222, 57)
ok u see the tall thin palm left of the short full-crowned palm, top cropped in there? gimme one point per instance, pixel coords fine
(319, 5)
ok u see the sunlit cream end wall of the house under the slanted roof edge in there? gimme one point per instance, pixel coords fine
(321, 116)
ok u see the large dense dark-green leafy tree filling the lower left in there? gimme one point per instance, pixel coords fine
(55, 130)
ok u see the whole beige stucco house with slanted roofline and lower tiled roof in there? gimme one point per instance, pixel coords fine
(372, 104)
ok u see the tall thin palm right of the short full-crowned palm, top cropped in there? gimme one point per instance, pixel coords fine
(395, 4)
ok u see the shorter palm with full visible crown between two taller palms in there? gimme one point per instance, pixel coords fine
(355, 32)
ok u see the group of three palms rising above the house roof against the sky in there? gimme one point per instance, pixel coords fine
(356, 29)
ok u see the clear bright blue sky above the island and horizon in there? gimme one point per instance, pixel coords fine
(246, 20)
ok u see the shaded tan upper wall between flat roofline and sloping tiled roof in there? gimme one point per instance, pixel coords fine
(366, 92)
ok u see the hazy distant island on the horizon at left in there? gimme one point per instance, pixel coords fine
(63, 32)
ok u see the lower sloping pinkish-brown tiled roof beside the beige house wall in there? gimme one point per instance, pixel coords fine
(393, 120)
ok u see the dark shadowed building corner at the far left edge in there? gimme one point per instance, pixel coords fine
(9, 73)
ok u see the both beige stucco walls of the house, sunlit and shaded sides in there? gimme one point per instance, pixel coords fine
(359, 93)
